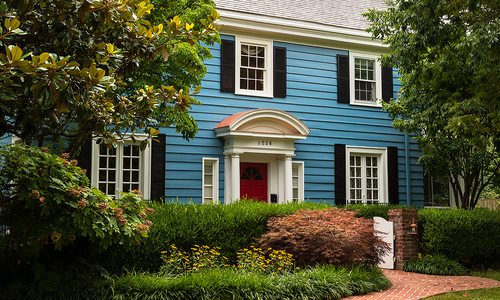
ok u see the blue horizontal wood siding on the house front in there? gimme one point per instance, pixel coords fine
(311, 97)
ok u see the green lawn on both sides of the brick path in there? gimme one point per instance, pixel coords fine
(492, 293)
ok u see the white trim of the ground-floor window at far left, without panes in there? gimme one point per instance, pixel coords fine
(144, 165)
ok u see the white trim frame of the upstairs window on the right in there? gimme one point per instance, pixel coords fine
(378, 79)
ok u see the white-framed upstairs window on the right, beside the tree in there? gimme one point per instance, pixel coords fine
(365, 79)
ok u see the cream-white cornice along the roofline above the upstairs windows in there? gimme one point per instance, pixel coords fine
(240, 21)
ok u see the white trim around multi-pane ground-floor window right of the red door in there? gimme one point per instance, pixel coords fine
(383, 171)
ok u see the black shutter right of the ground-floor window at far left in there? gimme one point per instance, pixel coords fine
(158, 167)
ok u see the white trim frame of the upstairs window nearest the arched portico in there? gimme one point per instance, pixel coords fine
(268, 66)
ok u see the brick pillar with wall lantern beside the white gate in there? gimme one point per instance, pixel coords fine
(406, 242)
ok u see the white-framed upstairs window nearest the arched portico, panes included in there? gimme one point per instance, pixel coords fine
(254, 67)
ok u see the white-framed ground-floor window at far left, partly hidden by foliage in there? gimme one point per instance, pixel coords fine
(121, 168)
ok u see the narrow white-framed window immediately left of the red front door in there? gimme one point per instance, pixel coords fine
(210, 180)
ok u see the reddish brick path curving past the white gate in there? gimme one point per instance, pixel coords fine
(408, 286)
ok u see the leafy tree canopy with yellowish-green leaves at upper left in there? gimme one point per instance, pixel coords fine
(82, 68)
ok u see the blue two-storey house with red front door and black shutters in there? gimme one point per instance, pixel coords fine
(291, 111)
